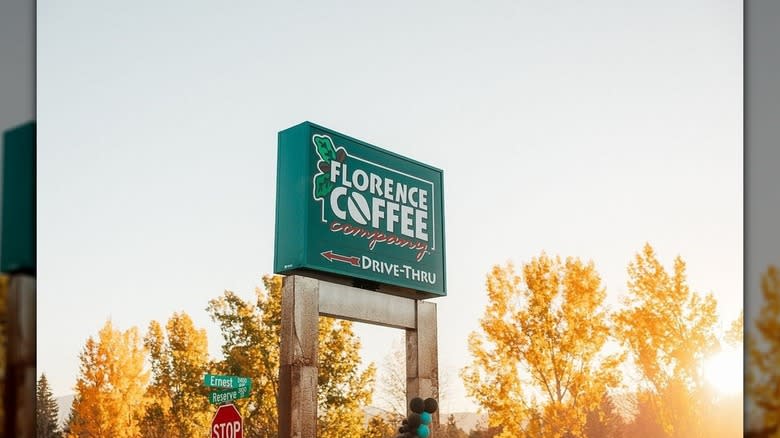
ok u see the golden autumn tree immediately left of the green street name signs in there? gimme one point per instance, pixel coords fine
(177, 399)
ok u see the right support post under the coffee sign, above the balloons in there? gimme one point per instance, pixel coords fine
(422, 357)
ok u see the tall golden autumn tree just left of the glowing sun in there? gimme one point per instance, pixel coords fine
(668, 330)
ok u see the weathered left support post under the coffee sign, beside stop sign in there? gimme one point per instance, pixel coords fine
(298, 372)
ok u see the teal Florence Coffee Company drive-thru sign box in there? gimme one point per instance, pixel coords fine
(351, 209)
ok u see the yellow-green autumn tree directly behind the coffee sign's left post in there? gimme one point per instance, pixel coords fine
(251, 331)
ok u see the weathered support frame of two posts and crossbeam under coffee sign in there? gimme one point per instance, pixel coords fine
(303, 300)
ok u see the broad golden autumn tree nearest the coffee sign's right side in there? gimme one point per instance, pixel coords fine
(539, 365)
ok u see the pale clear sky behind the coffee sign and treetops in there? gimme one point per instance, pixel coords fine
(575, 128)
